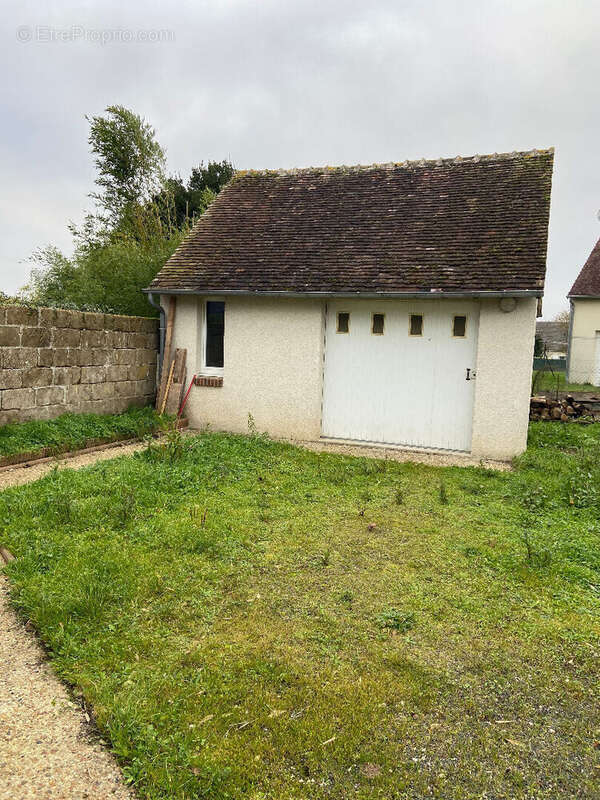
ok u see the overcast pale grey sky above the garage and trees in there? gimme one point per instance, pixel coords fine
(276, 83)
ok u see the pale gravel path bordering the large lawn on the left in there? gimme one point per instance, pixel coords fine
(48, 750)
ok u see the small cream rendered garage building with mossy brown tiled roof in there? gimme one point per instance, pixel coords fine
(390, 304)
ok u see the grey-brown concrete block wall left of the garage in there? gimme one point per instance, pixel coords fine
(55, 360)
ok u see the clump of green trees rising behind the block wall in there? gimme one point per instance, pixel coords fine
(140, 219)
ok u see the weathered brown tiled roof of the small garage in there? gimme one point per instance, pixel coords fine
(462, 225)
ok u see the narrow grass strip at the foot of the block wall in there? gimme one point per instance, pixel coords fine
(72, 431)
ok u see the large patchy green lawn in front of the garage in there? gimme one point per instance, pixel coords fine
(251, 620)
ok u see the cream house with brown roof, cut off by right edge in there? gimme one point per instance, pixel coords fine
(583, 363)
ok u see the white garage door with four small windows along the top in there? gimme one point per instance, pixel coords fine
(396, 372)
